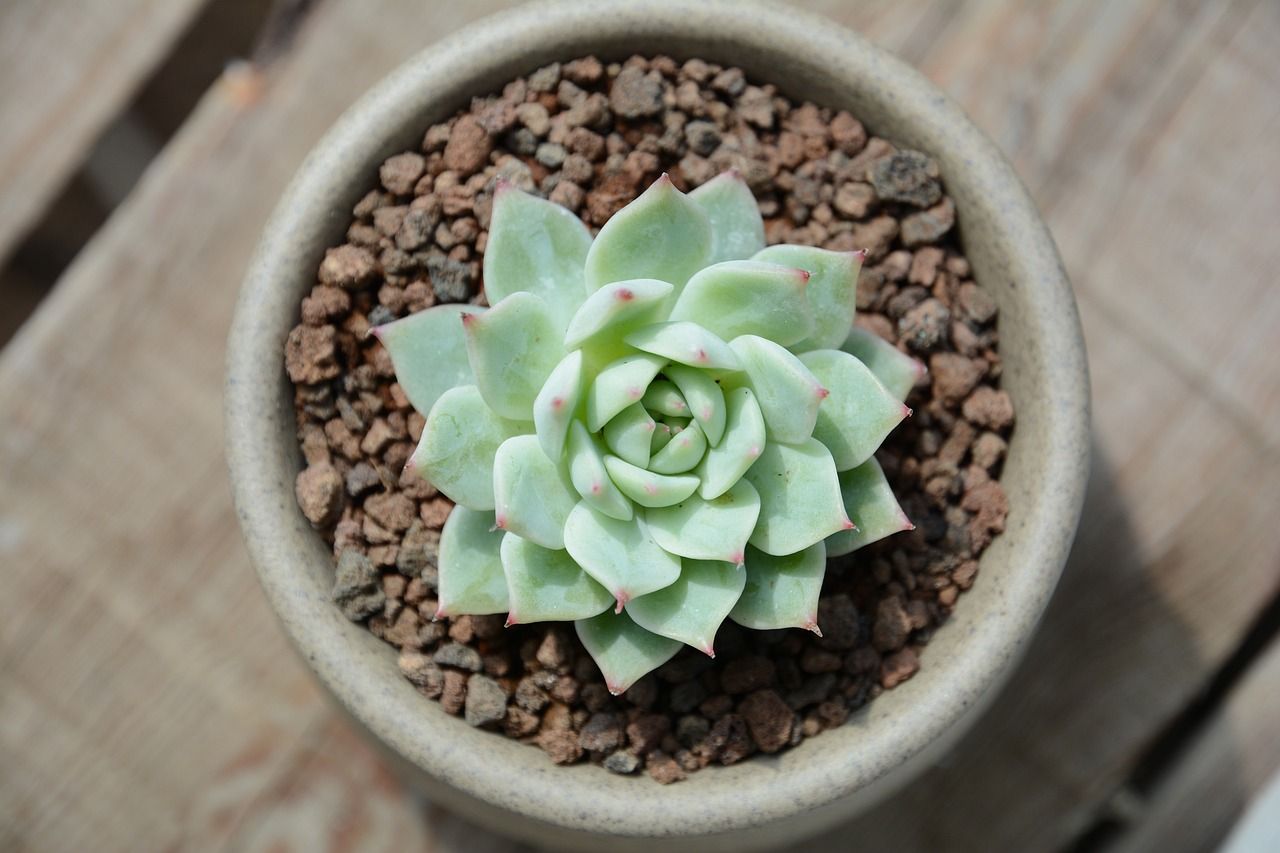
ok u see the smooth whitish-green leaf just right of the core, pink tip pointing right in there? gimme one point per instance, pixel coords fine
(788, 393)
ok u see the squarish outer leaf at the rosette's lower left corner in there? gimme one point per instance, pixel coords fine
(472, 578)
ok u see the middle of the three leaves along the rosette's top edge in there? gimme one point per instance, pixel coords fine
(661, 235)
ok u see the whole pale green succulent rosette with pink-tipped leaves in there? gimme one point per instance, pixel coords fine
(655, 430)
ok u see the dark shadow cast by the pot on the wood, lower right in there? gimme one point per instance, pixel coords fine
(1044, 768)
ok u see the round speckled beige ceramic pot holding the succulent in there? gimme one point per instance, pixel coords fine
(765, 801)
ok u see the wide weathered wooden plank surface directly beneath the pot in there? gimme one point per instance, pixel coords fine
(149, 701)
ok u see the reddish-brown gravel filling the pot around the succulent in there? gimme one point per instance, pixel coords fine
(592, 138)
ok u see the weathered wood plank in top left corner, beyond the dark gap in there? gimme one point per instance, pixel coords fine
(66, 71)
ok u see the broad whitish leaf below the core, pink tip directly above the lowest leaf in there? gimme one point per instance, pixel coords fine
(620, 555)
